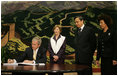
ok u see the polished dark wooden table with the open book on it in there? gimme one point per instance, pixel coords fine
(47, 68)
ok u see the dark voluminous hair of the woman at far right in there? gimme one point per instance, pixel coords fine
(107, 19)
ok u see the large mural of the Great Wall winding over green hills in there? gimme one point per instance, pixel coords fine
(22, 20)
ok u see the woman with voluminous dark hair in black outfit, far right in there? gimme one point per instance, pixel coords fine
(106, 46)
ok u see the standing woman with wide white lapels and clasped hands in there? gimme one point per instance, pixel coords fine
(57, 45)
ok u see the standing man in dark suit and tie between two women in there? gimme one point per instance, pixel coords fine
(85, 44)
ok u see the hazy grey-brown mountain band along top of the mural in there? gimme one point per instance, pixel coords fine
(11, 6)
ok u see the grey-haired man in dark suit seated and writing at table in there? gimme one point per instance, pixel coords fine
(34, 54)
